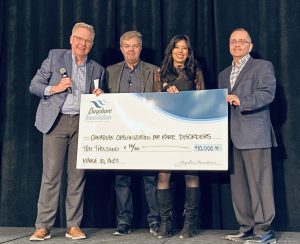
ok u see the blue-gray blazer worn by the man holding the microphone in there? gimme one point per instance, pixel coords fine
(49, 75)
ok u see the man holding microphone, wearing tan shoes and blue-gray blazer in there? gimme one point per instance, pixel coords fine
(62, 78)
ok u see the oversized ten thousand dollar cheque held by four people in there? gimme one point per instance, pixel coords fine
(154, 131)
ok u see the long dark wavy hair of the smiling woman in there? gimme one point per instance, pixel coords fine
(190, 64)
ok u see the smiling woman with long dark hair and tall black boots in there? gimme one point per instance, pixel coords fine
(179, 72)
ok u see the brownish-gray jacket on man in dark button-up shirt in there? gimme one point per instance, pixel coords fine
(114, 72)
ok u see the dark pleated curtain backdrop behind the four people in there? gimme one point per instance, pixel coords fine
(29, 29)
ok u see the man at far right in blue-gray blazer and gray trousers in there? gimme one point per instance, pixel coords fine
(251, 84)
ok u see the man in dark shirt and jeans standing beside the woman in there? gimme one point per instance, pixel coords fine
(132, 75)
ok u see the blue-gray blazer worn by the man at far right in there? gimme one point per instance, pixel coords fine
(250, 124)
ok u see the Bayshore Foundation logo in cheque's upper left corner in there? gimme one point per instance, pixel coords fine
(98, 111)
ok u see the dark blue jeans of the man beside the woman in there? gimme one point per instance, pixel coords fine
(124, 197)
